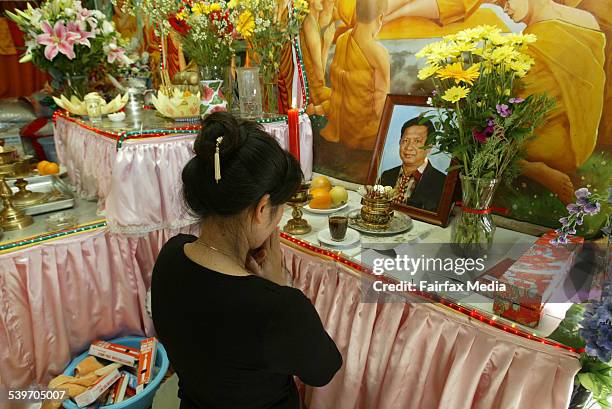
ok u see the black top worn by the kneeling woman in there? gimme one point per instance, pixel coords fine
(236, 342)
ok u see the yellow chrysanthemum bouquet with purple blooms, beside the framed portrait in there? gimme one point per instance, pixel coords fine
(483, 122)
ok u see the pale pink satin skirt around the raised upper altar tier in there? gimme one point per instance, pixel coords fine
(139, 183)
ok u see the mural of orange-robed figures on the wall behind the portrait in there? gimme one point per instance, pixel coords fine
(356, 52)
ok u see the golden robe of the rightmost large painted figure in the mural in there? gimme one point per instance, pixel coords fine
(569, 63)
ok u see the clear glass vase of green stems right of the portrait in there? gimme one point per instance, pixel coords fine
(473, 229)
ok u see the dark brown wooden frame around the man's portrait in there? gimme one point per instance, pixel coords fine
(440, 217)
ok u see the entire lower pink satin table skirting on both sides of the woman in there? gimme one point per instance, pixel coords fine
(55, 298)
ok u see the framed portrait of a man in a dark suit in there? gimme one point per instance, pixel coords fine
(423, 186)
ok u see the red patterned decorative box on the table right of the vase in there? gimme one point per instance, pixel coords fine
(533, 278)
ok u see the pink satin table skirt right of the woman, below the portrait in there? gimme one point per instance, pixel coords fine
(407, 355)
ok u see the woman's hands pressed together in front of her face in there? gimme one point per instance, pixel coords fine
(266, 261)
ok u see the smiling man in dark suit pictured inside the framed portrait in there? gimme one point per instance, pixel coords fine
(417, 183)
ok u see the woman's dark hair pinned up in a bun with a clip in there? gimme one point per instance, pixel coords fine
(252, 164)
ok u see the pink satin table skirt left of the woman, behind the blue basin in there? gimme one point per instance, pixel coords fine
(57, 297)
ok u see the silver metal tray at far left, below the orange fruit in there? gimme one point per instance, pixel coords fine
(61, 197)
